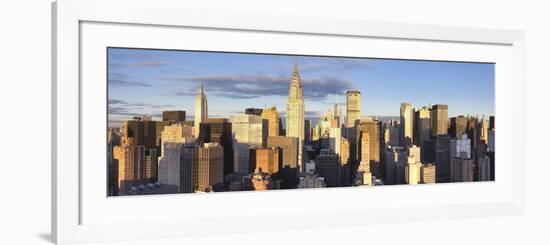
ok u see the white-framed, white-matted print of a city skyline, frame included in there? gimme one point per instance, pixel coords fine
(212, 120)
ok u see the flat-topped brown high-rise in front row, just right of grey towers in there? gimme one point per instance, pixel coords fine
(209, 168)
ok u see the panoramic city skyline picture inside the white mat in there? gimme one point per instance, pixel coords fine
(182, 121)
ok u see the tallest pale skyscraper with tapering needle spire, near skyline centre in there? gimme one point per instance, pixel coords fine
(295, 112)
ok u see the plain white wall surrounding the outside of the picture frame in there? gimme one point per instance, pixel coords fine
(25, 122)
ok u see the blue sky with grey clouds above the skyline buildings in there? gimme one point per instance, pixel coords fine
(144, 81)
